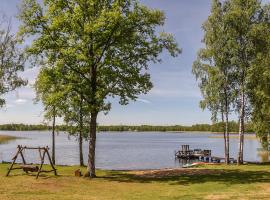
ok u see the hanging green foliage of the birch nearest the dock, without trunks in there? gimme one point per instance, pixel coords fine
(213, 67)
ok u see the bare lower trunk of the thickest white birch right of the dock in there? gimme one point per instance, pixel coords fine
(241, 128)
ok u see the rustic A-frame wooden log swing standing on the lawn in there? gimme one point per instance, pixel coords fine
(29, 167)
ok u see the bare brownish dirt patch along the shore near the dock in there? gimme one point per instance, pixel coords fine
(175, 172)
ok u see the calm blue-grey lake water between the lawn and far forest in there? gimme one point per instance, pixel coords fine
(126, 150)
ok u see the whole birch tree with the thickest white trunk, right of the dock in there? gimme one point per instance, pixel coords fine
(242, 19)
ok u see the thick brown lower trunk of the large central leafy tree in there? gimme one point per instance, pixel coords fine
(91, 171)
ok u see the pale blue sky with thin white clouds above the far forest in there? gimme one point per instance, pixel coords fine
(175, 96)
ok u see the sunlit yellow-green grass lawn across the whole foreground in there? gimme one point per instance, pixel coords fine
(208, 182)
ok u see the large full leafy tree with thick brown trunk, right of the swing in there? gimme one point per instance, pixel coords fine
(100, 48)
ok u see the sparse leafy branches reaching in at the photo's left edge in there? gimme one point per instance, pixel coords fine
(11, 60)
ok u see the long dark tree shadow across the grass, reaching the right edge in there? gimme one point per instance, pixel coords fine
(228, 177)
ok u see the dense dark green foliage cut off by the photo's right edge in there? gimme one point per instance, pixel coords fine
(259, 76)
